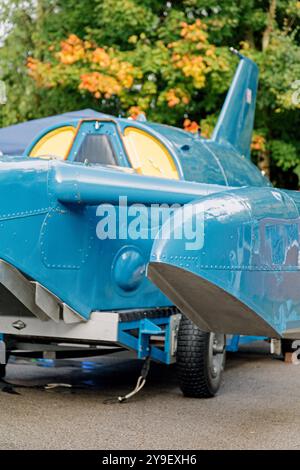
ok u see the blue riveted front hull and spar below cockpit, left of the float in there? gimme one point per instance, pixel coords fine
(48, 230)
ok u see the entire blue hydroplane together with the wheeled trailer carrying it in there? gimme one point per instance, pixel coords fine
(63, 287)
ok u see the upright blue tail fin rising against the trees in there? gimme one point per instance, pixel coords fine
(235, 123)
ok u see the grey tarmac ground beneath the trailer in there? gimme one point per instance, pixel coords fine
(258, 406)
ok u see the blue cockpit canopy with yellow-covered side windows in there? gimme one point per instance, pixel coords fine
(146, 148)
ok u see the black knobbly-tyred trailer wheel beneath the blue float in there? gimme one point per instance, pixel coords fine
(200, 360)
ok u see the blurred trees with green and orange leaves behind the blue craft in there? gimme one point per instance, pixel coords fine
(168, 59)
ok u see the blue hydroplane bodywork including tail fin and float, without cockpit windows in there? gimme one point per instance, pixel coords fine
(243, 279)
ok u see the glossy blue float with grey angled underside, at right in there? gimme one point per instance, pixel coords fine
(245, 277)
